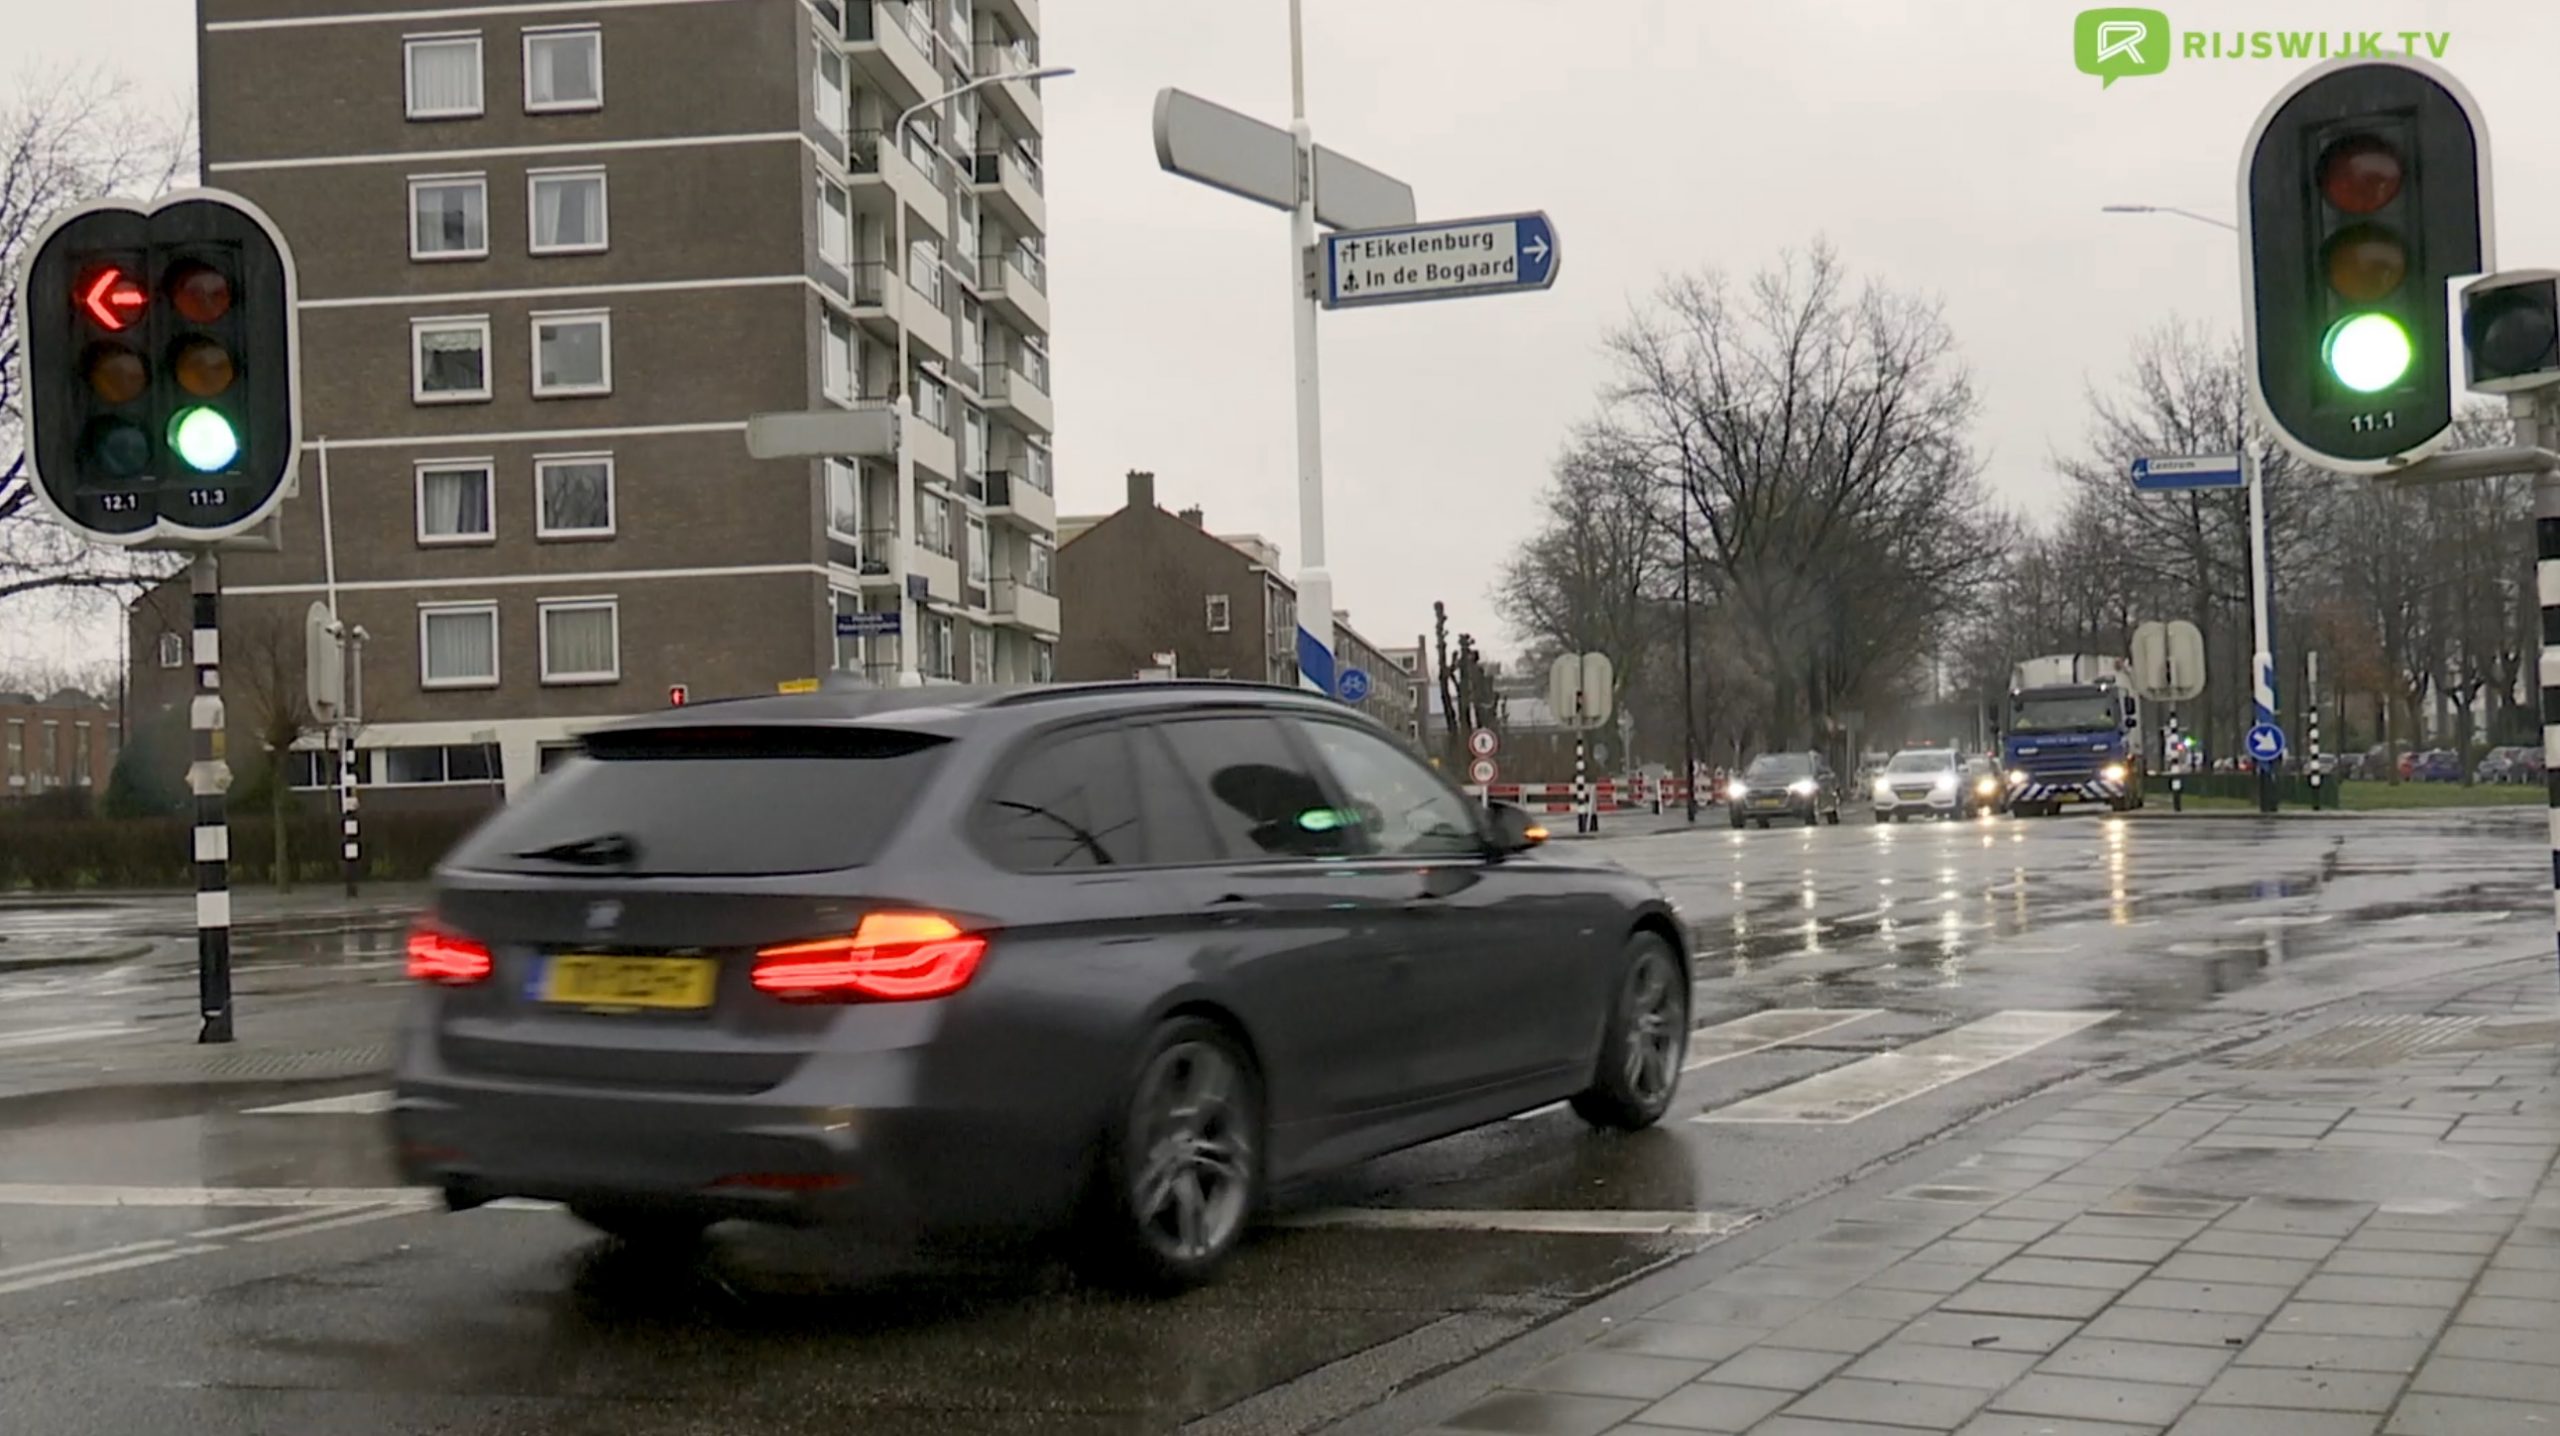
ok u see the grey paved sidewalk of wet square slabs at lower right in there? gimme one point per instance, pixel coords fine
(2346, 1230)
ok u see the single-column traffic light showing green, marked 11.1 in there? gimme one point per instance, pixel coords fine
(2364, 193)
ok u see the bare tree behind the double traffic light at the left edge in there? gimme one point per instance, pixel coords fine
(68, 140)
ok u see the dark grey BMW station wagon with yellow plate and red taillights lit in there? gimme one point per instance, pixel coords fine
(987, 964)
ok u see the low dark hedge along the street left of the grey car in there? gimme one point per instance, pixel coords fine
(160, 851)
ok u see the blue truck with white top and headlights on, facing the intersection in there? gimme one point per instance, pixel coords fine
(2075, 736)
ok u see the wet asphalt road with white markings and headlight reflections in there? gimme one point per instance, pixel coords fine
(237, 1261)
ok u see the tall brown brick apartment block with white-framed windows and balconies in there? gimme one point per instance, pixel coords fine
(554, 257)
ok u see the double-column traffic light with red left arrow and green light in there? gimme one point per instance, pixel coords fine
(160, 362)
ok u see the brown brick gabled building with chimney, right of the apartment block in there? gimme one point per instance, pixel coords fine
(1146, 582)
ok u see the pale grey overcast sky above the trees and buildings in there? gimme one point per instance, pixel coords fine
(1944, 147)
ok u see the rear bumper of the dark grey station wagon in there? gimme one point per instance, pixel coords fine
(841, 1143)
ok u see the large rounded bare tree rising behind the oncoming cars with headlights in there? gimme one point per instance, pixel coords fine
(1819, 436)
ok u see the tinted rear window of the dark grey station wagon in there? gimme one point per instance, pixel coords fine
(703, 802)
